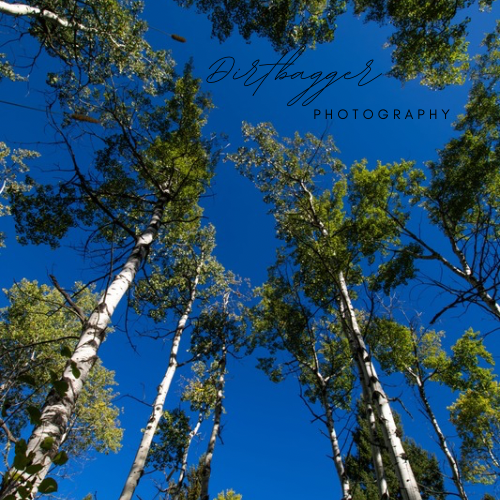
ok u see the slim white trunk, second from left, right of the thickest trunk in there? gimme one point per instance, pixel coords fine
(137, 469)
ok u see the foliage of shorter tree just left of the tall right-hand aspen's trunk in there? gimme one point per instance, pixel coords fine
(316, 352)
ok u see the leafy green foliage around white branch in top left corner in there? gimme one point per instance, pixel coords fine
(101, 38)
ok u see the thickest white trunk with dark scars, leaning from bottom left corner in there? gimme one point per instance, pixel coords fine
(46, 438)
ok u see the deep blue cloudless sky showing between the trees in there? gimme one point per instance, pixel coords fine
(270, 451)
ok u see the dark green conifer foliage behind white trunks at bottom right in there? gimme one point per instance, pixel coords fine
(362, 475)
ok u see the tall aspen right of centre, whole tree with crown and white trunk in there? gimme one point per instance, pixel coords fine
(326, 247)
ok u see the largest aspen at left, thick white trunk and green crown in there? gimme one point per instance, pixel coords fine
(152, 170)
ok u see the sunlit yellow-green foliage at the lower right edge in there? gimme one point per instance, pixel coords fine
(467, 371)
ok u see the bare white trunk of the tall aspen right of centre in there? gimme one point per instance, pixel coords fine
(371, 385)
